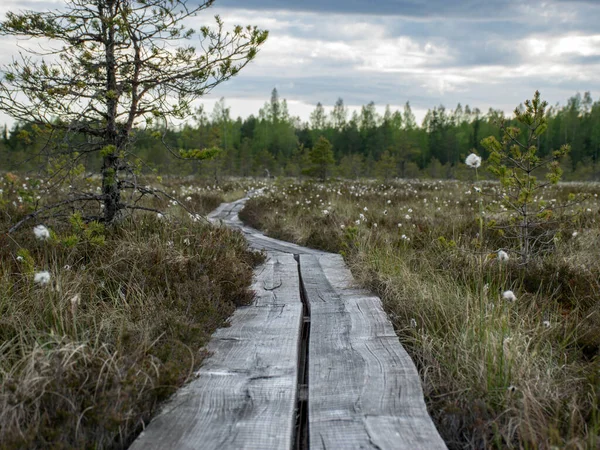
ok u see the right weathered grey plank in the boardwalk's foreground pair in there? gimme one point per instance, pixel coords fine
(364, 390)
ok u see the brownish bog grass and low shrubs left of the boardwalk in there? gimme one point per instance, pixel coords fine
(99, 325)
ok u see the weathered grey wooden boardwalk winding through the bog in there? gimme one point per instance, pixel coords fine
(313, 363)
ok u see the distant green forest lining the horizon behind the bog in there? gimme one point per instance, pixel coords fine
(364, 143)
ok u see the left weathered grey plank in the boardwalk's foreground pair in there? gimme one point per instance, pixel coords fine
(245, 393)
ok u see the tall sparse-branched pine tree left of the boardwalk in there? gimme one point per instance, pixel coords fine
(109, 66)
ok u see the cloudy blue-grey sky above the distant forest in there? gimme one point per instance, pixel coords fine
(484, 53)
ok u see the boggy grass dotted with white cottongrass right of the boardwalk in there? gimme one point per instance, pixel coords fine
(495, 373)
